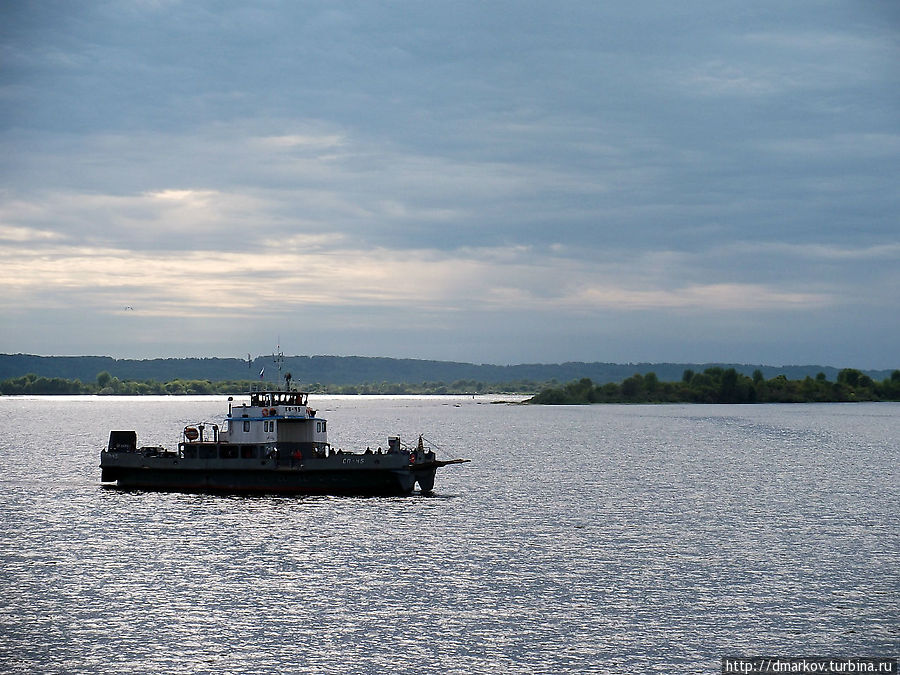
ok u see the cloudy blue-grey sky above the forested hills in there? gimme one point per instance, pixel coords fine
(489, 182)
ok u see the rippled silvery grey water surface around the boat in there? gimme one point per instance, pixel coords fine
(580, 539)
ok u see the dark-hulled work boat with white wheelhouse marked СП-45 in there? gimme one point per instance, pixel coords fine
(274, 443)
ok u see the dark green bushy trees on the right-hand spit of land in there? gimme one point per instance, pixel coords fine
(719, 385)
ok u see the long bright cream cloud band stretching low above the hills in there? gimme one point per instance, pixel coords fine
(329, 272)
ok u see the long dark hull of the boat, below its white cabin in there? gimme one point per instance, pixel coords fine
(164, 474)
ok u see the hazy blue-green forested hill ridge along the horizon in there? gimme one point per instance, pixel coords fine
(348, 370)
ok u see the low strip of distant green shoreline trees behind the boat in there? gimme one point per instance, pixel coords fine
(107, 385)
